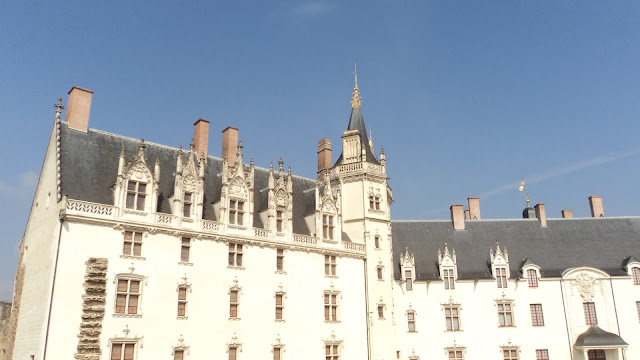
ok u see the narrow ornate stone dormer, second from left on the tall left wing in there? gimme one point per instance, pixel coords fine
(188, 193)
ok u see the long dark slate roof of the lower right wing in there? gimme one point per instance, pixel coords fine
(602, 243)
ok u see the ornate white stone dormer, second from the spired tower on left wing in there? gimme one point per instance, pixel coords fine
(280, 202)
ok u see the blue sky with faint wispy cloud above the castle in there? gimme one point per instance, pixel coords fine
(467, 97)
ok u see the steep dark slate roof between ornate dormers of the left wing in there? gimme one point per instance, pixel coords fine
(89, 169)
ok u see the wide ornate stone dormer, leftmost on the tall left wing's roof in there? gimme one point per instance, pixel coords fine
(136, 190)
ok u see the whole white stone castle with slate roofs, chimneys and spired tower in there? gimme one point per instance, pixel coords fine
(135, 250)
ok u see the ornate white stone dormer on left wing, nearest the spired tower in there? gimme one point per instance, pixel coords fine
(328, 213)
